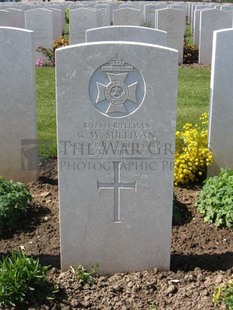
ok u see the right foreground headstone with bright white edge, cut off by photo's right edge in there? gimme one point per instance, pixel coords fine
(221, 105)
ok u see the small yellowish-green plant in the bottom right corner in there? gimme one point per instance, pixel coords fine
(224, 295)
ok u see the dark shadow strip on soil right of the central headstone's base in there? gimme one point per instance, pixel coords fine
(208, 262)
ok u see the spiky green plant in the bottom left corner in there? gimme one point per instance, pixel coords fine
(23, 281)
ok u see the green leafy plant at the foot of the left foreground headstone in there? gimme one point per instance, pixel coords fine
(14, 199)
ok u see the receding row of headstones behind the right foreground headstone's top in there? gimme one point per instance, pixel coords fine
(204, 19)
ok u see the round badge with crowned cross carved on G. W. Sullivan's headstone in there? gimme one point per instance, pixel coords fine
(117, 89)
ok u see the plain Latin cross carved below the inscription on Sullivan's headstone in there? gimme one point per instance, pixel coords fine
(117, 185)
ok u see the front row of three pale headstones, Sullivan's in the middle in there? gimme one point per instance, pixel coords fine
(116, 113)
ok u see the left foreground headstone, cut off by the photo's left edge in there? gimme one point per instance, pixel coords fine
(18, 134)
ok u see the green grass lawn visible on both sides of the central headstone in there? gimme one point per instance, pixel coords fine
(193, 100)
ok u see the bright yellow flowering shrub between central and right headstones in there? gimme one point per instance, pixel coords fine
(192, 155)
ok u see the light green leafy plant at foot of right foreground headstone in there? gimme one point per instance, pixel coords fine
(215, 201)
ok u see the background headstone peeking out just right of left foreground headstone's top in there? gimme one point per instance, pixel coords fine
(40, 21)
